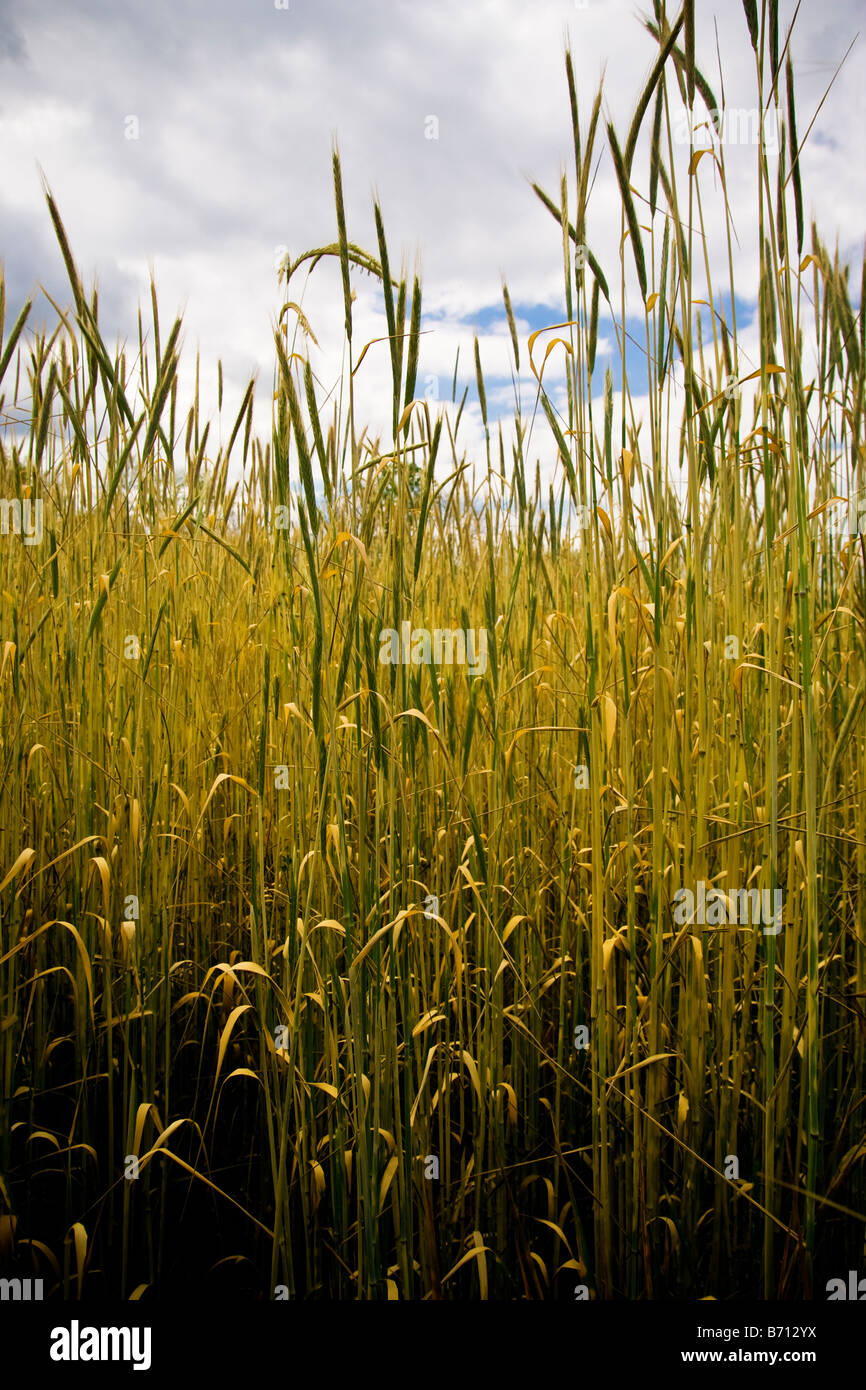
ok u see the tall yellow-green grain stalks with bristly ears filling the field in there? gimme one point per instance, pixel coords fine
(241, 1045)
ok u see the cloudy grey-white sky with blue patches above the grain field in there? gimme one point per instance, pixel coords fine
(193, 138)
